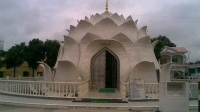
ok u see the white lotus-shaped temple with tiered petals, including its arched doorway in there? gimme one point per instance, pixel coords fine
(106, 49)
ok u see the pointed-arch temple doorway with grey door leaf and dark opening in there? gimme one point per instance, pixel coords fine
(105, 69)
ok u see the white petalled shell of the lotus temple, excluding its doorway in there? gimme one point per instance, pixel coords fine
(110, 32)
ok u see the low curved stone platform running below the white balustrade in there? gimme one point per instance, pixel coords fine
(69, 104)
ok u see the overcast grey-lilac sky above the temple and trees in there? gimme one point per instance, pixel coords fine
(23, 20)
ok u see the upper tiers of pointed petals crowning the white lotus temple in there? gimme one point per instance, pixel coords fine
(107, 21)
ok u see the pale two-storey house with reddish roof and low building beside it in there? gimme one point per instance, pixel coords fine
(180, 70)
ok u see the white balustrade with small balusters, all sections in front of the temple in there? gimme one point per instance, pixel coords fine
(74, 89)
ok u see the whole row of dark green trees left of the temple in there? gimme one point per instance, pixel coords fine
(35, 51)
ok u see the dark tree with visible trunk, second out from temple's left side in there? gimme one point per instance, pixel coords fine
(35, 52)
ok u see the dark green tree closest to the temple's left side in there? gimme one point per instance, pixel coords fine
(51, 49)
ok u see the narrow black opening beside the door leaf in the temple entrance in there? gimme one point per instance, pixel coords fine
(111, 71)
